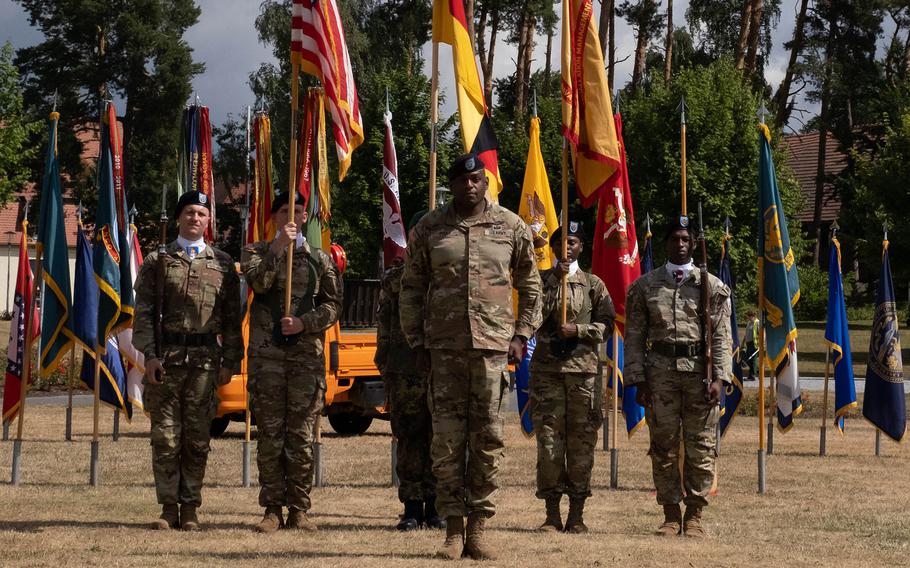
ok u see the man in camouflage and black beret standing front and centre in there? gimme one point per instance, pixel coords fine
(456, 310)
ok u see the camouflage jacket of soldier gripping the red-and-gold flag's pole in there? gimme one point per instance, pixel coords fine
(594, 317)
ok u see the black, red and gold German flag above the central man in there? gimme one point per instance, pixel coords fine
(450, 26)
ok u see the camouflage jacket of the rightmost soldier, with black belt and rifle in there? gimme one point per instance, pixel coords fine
(660, 312)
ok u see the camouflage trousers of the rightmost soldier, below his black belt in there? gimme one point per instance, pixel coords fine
(678, 405)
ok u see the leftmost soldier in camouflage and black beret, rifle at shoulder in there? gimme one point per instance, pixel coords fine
(201, 301)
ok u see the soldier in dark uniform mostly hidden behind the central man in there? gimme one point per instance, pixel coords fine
(406, 392)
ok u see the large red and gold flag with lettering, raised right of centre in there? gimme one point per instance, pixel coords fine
(587, 111)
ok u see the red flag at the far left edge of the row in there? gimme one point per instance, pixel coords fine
(17, 359)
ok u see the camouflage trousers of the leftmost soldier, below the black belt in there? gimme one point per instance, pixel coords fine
(181, 408)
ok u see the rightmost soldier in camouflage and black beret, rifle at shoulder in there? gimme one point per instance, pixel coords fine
(664, 358)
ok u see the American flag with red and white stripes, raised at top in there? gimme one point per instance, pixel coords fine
(318, 45)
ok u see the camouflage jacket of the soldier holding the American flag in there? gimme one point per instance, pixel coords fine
(266, 274)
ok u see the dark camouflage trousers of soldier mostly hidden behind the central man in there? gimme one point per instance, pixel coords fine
(412, 428)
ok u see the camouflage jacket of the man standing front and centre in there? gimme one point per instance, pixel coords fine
(456, 292)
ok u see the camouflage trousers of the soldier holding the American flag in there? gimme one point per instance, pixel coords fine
(287, 394)
